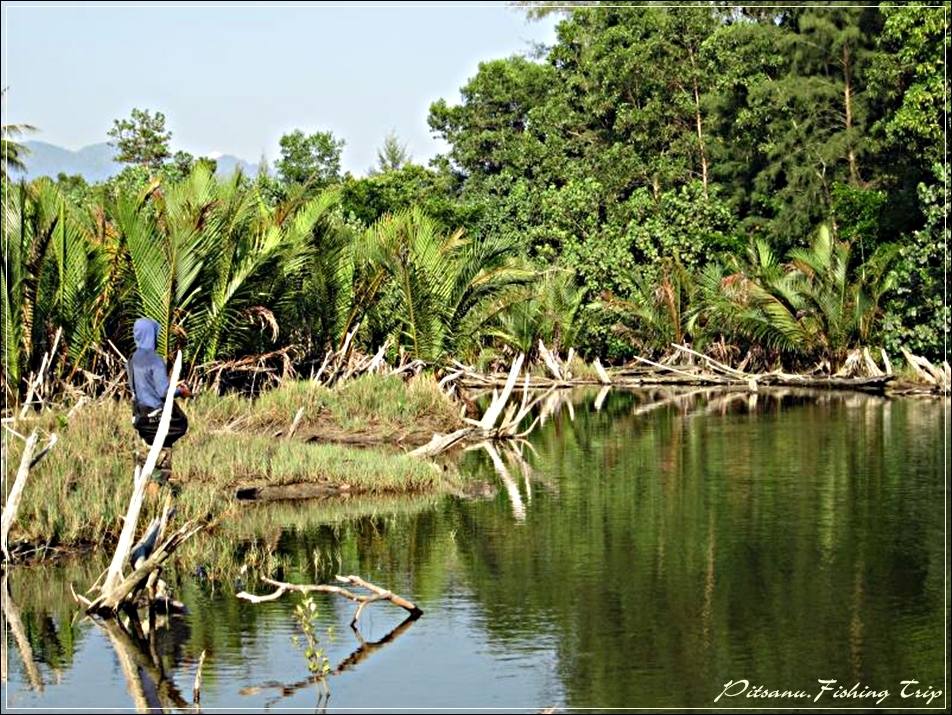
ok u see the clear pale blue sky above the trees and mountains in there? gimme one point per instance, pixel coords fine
(233, 78)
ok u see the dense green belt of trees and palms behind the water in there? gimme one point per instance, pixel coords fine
(765, 184)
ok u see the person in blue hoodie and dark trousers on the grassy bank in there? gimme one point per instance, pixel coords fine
(149, 382)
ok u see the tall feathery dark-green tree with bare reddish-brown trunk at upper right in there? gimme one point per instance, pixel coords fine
(819, 119)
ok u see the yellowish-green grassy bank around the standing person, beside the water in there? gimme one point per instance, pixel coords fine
(80, 491)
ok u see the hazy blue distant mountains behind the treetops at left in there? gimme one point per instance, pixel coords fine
(95, 162)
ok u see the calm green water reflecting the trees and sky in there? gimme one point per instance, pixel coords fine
(641, 554)
